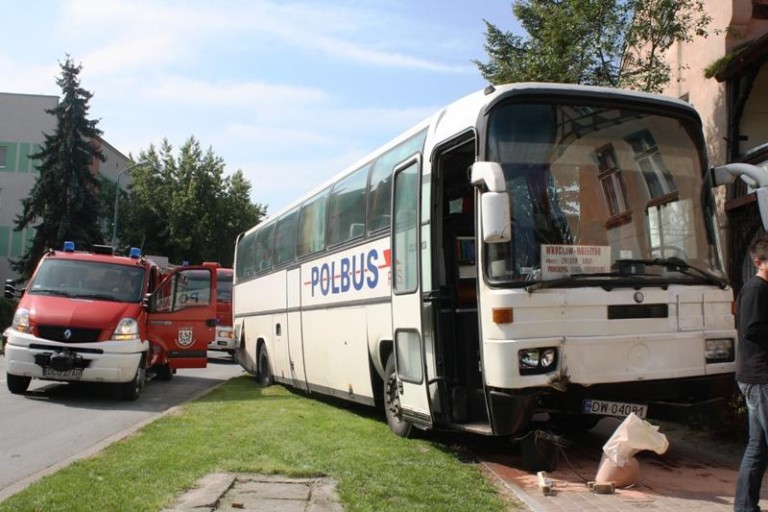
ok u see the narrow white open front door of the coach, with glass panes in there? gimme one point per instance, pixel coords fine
(407, 310)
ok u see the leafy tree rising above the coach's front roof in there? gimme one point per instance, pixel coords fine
(615, 43)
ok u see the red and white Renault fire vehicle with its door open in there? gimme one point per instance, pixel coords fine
(97, 317)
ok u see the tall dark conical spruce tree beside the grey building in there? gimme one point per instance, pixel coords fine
(63, 202)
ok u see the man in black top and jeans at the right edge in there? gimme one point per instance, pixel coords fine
(752, 377)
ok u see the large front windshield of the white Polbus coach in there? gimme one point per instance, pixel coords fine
(600, 193)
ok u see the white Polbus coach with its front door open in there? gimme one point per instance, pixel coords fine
(529, 249)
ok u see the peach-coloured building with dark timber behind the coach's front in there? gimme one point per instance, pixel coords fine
(725, 76)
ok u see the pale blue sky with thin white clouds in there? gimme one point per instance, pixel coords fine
(289, 92)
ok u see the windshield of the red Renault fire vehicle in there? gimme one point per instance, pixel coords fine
(89, 280)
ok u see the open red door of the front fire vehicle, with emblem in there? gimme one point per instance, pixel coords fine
(182, 315)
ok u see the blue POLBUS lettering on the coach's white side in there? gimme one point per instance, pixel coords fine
(352, 274)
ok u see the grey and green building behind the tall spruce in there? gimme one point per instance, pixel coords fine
(23, 124)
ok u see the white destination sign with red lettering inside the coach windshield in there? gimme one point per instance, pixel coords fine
(564, 260)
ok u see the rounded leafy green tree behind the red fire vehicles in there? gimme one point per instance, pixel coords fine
(184, 208)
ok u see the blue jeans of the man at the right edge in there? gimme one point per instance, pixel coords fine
(755, 459)
